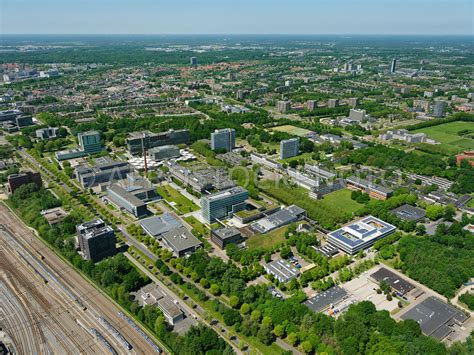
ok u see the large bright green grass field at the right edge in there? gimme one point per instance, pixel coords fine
(446, 134)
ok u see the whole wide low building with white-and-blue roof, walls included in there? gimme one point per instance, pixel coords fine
(360, 235)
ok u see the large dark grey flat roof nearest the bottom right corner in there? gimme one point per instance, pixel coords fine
(434, 317)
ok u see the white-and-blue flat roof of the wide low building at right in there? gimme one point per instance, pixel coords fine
(362, 231)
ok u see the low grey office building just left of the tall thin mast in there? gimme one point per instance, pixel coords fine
(105, 170)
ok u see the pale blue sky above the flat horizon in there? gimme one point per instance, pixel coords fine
(430, 17)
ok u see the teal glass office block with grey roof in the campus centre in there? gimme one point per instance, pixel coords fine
(223, 204)
